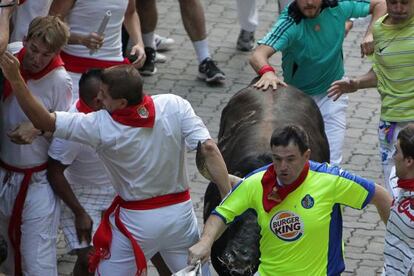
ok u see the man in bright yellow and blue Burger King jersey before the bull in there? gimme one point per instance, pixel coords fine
(298, 206)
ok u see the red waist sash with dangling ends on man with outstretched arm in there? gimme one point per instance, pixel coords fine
(103, 235)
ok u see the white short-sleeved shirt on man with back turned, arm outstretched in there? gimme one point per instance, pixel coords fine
(142, 162)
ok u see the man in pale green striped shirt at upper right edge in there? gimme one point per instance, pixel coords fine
(392, 74)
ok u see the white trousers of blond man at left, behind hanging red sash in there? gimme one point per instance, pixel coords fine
(39, 224)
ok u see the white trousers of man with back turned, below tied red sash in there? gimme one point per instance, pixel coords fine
(169, 230)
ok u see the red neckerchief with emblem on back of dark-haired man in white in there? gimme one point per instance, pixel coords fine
(141, 115)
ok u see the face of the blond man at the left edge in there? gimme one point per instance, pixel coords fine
(37, 56)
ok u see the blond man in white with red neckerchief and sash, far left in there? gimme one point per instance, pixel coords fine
(29, 211)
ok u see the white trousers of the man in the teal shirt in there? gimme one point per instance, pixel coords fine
(334, 118)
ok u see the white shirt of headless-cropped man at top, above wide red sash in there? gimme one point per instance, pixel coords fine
(85, 18)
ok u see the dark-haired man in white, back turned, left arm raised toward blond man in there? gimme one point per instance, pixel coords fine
(142, 141)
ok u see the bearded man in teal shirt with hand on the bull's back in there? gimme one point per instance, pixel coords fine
(310, 33)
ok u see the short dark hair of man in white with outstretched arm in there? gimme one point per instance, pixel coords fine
(124, 82)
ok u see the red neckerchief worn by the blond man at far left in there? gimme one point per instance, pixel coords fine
(54, 63)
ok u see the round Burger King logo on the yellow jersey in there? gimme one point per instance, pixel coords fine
(287, 226)
